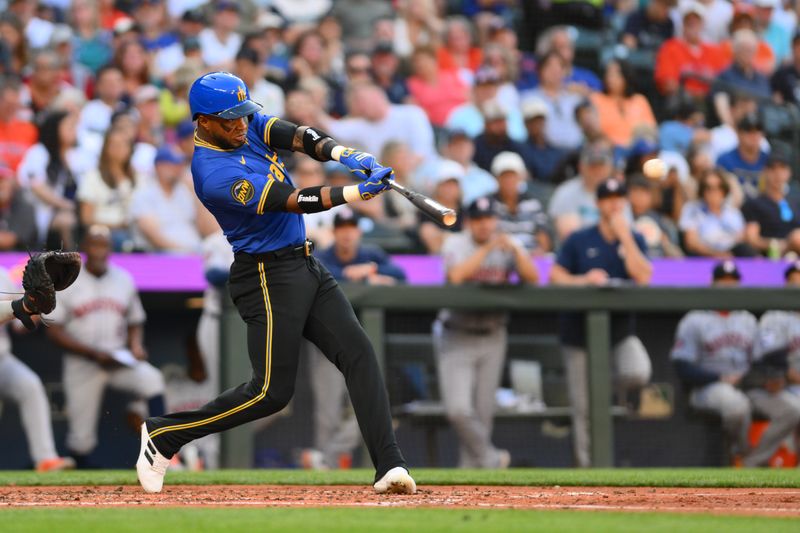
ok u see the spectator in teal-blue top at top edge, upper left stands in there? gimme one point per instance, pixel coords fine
(92, 43)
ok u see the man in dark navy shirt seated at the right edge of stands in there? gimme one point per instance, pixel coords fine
(773, 220)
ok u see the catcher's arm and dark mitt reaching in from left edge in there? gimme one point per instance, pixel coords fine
(44, 274)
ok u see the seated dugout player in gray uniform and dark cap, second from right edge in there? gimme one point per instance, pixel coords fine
(714, 358)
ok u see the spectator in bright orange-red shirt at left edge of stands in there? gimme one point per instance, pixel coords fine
(17, 134)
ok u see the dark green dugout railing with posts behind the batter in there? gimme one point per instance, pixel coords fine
(373, 304)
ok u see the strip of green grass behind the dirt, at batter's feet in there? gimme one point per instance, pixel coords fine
(622, 477)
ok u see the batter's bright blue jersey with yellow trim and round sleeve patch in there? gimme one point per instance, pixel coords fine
(235, 185)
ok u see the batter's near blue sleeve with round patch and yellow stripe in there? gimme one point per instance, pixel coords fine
(248, 192)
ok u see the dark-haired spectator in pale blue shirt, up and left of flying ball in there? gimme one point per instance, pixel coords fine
(562, 130)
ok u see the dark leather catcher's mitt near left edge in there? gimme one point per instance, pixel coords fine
(45, 274)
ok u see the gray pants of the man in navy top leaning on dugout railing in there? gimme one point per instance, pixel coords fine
(632, 370)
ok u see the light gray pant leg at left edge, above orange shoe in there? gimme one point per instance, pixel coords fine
(21, 385)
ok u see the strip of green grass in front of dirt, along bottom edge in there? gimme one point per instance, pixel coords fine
(374, 520)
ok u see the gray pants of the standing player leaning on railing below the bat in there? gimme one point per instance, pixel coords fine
(470, 367)
